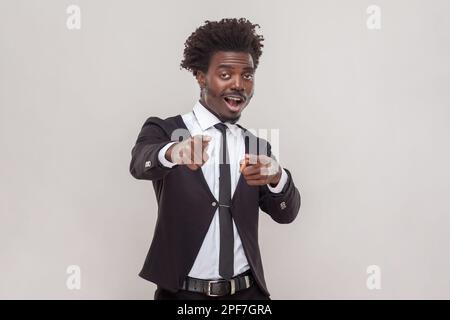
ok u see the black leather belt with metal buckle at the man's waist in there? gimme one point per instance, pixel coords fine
(221, 287)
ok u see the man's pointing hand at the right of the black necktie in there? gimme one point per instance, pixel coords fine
(259, 170)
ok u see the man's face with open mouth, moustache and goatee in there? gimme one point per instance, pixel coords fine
(228, 84)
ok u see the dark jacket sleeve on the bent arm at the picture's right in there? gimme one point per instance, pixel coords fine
(283, 207)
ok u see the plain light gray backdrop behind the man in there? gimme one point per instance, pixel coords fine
(364, 126)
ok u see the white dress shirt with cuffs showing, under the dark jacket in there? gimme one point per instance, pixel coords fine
(202, 121)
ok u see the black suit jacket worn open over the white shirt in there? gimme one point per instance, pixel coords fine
(186, 206)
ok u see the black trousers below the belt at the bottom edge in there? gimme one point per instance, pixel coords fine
(252, 293)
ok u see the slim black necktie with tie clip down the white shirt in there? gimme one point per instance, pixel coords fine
(226, 256)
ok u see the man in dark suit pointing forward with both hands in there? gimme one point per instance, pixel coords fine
(211, 176)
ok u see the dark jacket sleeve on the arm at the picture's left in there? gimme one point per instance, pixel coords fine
(144, 156)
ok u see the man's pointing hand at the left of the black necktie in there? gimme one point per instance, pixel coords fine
(190, 152)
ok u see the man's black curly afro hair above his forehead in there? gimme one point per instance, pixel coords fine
(237, 35)
